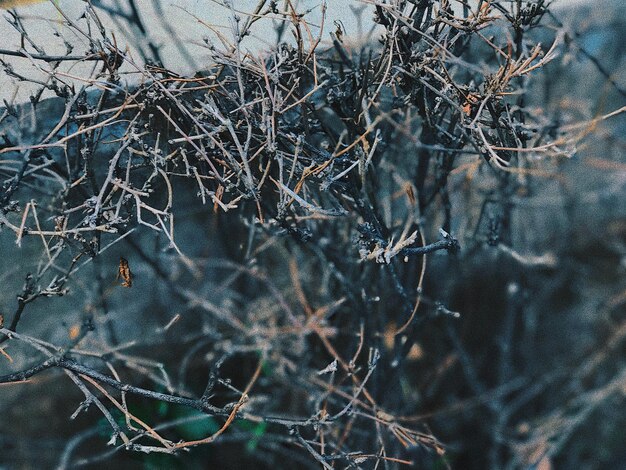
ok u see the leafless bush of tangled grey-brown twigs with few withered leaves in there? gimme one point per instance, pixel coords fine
(286, 229)
